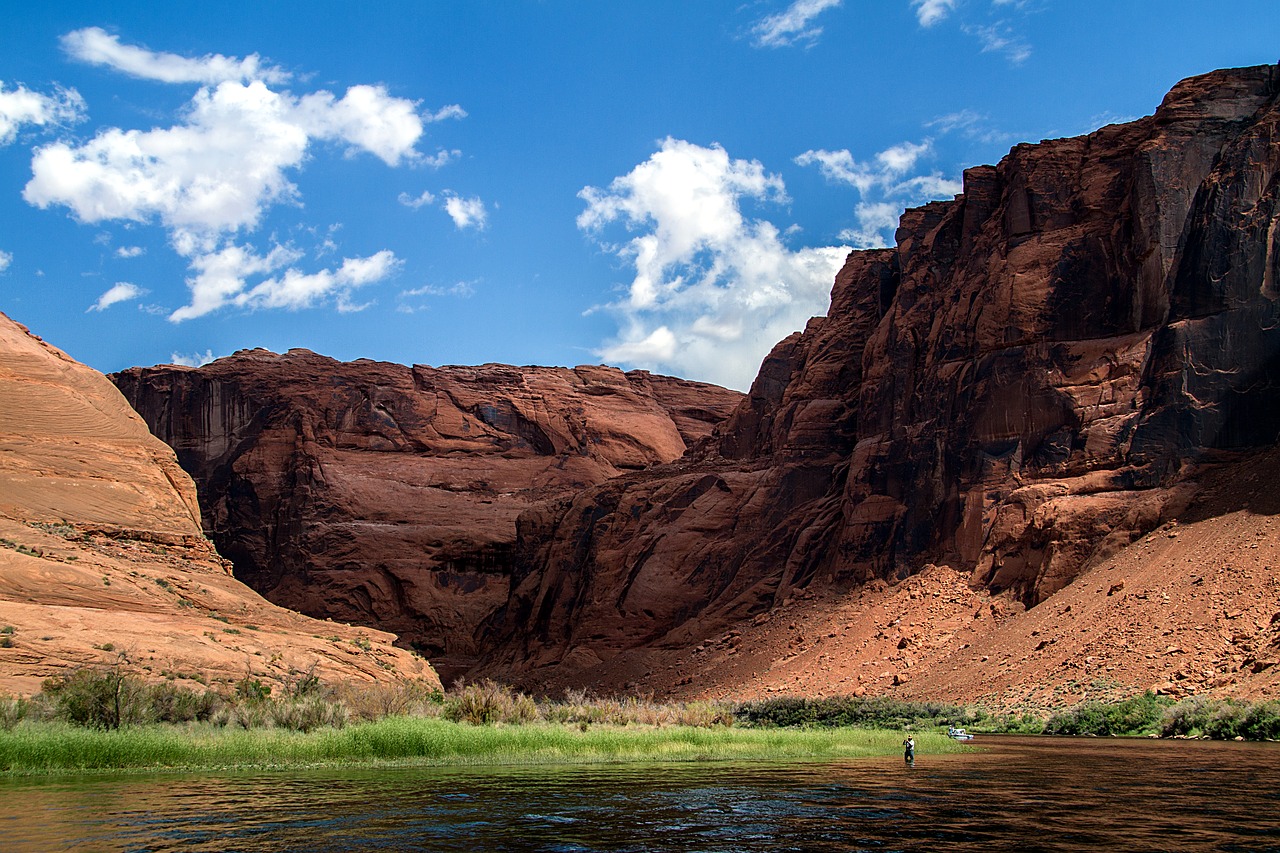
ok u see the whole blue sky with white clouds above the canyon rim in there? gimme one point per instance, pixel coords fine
(653, 185)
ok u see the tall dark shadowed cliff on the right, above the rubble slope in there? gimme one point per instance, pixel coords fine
(1027, 384)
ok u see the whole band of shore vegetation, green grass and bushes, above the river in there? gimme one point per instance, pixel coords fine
(103, 720)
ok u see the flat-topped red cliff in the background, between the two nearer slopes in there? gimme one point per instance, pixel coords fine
(388, 496)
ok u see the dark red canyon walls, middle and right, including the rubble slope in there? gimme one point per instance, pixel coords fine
(1025, 457)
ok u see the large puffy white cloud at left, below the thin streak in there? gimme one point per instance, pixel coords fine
(225, 166)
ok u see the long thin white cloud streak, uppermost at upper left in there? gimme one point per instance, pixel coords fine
(97, 47)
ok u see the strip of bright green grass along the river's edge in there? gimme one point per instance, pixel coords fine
(38, 749)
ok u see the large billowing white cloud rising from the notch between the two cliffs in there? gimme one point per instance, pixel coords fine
(712, 290)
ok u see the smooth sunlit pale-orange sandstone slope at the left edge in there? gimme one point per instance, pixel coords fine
(103, 558)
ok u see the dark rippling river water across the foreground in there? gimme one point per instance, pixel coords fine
(1013, 795)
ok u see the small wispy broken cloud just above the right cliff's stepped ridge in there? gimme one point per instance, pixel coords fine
(886, 186)
